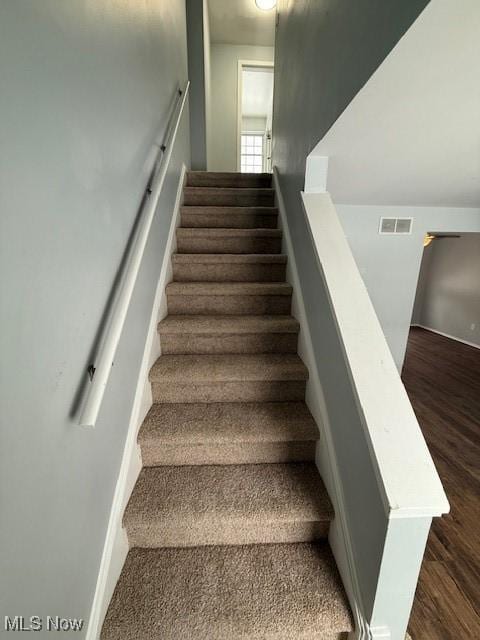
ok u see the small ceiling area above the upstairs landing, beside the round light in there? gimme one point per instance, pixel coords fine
(241, 22)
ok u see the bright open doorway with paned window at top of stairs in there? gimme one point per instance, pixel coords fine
(255, 111)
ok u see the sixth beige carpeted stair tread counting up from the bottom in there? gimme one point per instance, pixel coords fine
(229, 289)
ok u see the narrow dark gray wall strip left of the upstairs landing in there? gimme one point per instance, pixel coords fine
(198, 34)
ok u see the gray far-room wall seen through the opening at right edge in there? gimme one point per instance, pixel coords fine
(448, 293)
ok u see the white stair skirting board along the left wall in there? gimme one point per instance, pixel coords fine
(115, 549)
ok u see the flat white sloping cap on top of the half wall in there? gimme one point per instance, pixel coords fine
(409, 482)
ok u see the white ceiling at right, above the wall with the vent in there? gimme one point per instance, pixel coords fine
(411, 136)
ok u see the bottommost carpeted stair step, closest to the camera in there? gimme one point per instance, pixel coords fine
(255, 592)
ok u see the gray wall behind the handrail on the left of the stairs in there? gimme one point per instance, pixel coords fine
(85, 89)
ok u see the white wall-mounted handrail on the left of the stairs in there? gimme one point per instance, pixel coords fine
(99, 371)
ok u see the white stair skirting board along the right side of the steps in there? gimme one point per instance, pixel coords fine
(339, 539)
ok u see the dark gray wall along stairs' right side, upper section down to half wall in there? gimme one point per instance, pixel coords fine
(324, 54)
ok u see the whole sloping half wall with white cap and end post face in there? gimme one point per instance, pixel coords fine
(385, 489)
